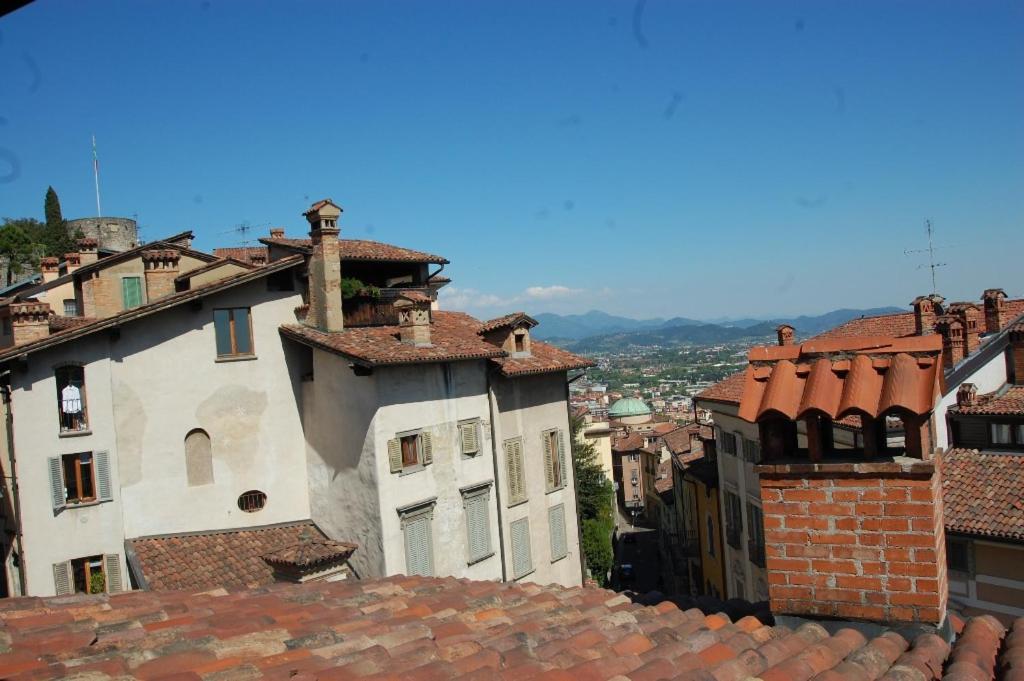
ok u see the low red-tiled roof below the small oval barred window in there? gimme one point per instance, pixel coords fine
(231, 559)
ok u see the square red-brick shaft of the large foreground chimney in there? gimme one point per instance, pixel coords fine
(860, 541)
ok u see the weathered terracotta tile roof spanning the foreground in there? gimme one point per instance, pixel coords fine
(422, 628)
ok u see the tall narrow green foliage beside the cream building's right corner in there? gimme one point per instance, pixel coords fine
(595, 500)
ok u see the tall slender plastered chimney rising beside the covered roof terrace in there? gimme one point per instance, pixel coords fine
(325, 268)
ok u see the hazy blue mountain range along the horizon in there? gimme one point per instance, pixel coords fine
(596, 330)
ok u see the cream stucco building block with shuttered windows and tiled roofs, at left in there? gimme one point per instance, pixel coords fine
(196, 402)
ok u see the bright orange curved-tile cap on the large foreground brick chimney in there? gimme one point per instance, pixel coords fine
(867, 376)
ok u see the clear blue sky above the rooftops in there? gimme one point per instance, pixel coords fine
(657, 158)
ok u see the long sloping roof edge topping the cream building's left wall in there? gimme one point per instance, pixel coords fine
(80, 331)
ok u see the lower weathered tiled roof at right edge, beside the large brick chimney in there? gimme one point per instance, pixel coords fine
(982, 494)
